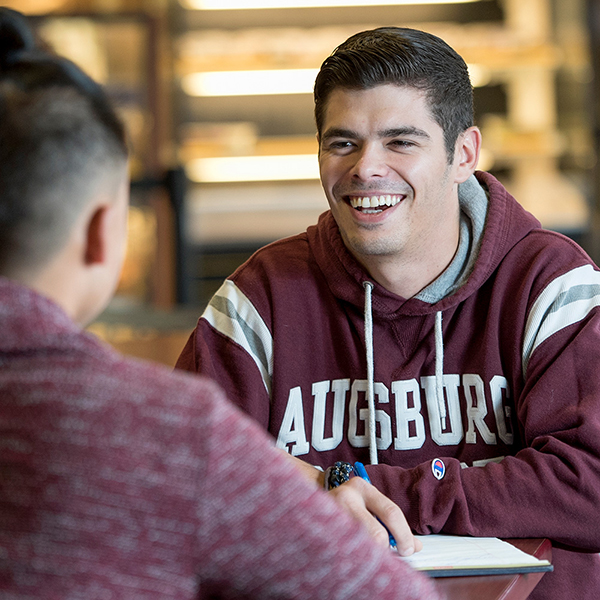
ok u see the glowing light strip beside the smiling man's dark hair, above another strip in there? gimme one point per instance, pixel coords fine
(250, 83)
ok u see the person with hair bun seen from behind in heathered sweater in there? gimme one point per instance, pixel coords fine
(120, 478)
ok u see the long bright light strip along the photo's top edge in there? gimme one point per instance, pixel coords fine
(246, 4)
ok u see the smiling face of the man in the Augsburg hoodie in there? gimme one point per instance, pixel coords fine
(385, 171)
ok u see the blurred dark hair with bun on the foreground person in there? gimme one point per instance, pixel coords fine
(60, 140)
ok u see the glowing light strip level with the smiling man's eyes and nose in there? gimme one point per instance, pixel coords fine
(253, 168)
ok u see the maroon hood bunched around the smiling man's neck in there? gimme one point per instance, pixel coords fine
(507, 223)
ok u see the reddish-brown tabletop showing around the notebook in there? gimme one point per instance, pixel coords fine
(498, 587)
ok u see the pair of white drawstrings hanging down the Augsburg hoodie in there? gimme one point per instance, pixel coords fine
(439, 370)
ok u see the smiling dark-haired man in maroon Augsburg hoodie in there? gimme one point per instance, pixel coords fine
(426, 325)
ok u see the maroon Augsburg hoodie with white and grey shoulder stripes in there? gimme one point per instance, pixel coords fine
(506, 393)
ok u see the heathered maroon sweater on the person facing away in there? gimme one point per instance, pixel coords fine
(122, 480)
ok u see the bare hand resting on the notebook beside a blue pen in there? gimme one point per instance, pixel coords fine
(365, 502)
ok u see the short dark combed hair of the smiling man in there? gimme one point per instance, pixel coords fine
(404, 57)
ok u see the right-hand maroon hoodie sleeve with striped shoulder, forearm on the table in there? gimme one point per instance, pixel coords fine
(551, 487)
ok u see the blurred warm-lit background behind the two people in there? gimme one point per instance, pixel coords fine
(217, 99)
